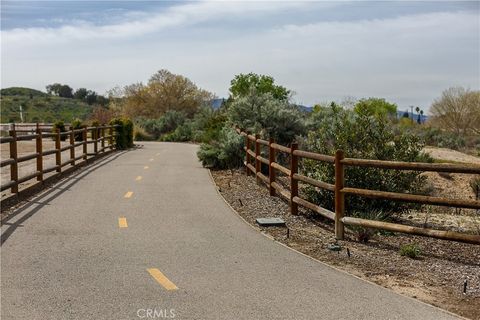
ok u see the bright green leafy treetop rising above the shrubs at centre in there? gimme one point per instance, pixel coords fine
(241, 84)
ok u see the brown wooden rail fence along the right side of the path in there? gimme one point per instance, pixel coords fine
(341, 191)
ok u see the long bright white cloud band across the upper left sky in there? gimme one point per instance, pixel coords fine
(137, 24)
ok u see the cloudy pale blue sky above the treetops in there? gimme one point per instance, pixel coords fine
(407, 52)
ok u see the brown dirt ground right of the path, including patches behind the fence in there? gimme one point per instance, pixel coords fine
(436, 277)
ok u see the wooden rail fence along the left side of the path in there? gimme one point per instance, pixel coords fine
(97, 134)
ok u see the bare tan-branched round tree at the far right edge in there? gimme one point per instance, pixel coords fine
(457, 110)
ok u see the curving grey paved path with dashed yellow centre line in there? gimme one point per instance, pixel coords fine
(181, 253)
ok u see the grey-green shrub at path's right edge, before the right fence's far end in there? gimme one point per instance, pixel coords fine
(226, 152)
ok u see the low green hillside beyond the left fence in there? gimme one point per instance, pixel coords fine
(39, 107)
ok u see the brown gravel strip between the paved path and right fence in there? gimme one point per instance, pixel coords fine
(437, 277)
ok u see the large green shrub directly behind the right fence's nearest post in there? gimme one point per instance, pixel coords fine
(364, 137)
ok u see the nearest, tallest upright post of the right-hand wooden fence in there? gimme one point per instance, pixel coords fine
(339, 196)
